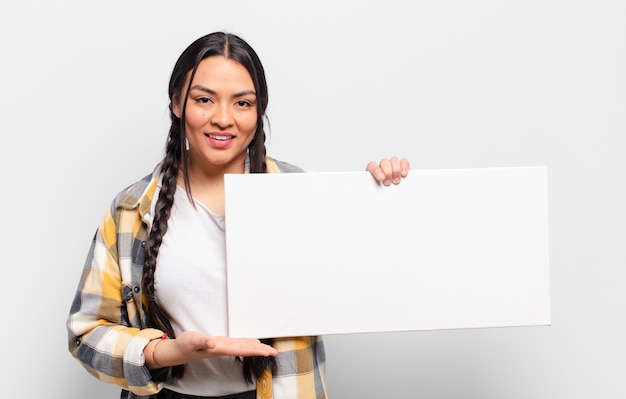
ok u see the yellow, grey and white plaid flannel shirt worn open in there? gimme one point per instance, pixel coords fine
(106, 323)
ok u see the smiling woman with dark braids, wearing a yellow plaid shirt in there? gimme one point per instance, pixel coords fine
(150, 310)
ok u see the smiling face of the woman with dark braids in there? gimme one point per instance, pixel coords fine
(221, 115)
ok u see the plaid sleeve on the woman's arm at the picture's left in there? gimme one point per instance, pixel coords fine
(100, 335)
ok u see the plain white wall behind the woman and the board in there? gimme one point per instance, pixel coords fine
(447, 84)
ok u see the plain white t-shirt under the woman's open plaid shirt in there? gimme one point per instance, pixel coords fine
(190, 284)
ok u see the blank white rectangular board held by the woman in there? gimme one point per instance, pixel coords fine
(336, 253)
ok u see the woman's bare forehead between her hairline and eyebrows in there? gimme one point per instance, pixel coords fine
(220, 72)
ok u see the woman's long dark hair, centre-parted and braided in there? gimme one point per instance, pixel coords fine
(176, 159)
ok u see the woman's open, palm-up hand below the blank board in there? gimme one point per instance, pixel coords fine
(192, 345)
